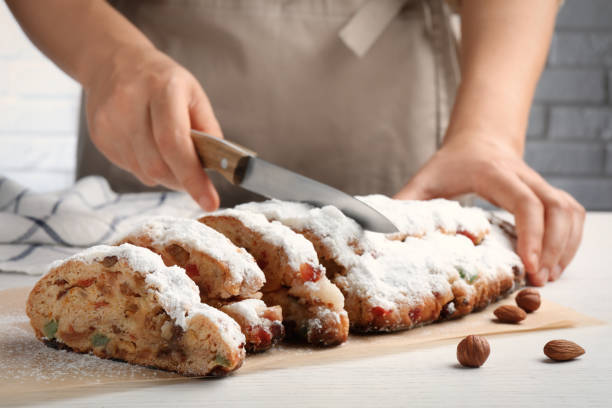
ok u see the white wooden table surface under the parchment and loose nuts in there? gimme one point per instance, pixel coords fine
(516, 374)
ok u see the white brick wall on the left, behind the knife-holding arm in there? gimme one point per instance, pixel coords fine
(38, 113)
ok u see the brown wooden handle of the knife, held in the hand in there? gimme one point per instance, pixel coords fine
(227, 158)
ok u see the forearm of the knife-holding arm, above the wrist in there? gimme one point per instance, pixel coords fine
(77, 35)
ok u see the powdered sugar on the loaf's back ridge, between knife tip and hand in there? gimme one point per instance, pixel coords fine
(423, 217)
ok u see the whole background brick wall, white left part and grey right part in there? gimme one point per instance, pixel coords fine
(569, 136)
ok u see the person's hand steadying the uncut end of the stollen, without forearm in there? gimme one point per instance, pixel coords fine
(548, 220)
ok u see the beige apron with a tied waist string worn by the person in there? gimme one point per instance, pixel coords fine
(336, 90)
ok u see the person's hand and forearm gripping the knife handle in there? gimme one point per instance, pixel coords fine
(140, 103)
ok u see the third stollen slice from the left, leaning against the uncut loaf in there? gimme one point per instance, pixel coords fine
(294, 278)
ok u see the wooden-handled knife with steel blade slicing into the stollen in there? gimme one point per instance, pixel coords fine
(241, 167)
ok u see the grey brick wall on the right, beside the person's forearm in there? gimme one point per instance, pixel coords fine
(570, 127)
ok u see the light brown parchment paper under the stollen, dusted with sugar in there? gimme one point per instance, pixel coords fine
(27, 365)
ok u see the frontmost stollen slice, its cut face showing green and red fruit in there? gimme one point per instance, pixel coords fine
(122, 302)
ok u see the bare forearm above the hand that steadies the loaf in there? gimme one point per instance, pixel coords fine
(503, 50)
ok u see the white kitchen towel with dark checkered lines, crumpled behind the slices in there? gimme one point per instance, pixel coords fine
(37, 228)
